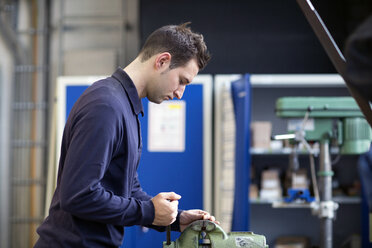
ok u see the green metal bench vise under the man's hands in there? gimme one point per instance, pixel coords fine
(204, 233)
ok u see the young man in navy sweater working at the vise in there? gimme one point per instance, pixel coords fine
(98, 192)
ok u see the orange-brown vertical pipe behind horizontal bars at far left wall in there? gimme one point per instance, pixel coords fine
(39, 82)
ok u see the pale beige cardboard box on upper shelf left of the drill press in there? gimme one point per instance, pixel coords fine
(261, 134)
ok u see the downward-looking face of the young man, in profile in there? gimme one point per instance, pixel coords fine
(171, 83)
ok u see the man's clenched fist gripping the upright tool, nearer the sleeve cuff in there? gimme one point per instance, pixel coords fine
(166, 206)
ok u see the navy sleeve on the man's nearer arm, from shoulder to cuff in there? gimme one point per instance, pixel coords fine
(92, 141)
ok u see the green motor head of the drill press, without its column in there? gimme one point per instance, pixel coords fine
(333, 118)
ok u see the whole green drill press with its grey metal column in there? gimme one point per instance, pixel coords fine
(333, 120)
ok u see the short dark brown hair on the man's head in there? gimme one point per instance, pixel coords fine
(182, 43)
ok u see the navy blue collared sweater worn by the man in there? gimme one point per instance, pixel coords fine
(98, 192)
